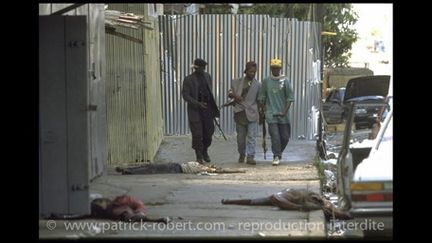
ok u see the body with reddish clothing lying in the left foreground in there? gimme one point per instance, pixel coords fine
(122, 208)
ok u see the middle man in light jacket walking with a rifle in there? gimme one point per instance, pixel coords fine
(244, 91)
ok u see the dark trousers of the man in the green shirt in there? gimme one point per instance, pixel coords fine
(279, 134)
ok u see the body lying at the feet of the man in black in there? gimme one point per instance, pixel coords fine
(187, 168)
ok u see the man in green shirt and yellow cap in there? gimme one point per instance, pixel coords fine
(275, 97)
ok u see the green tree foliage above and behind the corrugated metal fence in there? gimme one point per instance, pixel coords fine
(338, 18)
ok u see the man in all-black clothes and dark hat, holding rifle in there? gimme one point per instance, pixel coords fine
(202, 109)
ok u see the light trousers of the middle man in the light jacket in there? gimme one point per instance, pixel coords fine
(246, 138)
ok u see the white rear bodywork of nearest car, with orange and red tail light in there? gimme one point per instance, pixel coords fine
(372, 184)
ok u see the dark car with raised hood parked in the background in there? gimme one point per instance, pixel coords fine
(370, 91)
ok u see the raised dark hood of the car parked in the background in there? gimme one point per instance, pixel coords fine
(377, 85)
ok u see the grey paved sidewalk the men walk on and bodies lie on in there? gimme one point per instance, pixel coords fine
(193, 201)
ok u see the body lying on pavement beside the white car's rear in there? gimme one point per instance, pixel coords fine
(295, 199)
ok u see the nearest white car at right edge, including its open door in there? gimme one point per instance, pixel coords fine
(365, 178)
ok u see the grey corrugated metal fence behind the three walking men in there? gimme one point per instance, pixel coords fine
(227, 42)
